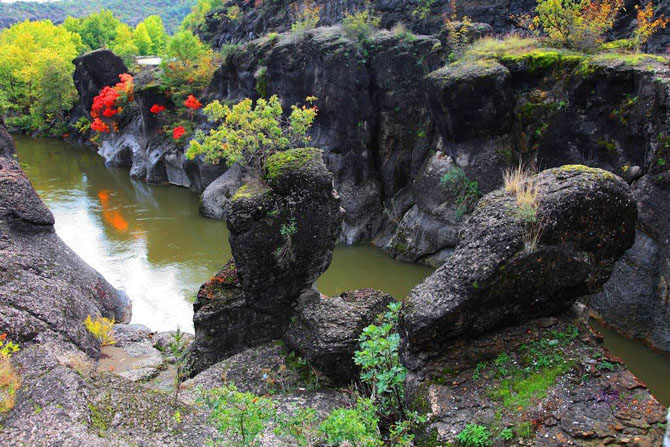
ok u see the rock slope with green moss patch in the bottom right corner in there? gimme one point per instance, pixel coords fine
(584, 396)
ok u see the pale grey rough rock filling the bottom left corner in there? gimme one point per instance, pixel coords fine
(63, 400)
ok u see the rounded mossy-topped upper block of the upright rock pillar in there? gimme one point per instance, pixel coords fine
(282, 234)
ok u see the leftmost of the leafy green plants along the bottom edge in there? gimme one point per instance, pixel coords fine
(242, 417)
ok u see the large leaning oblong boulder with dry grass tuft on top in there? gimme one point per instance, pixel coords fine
(493, 279)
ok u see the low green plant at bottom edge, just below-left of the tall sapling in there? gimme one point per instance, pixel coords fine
(356, 426)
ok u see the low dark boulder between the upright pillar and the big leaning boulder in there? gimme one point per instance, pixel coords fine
(326, 331)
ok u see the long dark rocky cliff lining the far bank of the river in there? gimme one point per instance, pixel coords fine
(413, 142)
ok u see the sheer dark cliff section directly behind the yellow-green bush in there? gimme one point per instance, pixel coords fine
(365, 100)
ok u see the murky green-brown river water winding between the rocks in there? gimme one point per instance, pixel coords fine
(150, 242)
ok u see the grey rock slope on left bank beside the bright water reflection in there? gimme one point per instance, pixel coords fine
(46, 290)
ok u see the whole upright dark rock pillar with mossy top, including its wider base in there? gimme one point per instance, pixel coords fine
(282, 234)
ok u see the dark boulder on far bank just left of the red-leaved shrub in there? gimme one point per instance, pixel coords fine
(93, 71)
